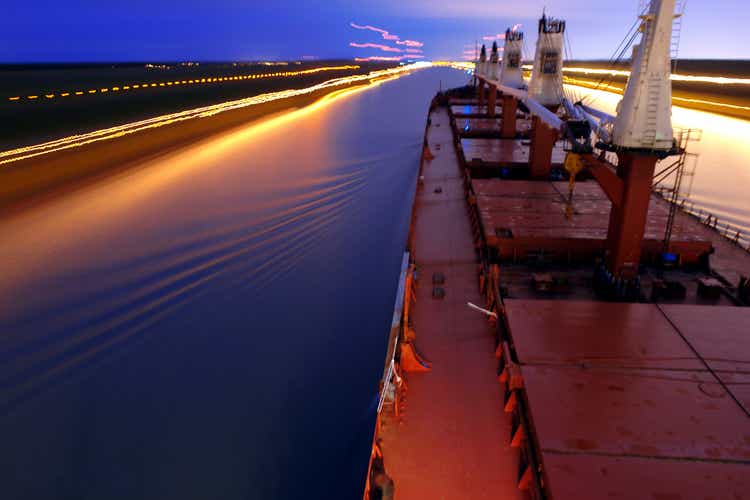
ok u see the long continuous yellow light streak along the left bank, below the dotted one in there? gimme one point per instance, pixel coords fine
(75, 141)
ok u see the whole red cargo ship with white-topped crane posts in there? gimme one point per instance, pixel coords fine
(564, 327)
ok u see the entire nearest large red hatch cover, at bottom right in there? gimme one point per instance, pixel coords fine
(646, 400)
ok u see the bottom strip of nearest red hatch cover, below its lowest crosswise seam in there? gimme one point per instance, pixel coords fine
(585, 477)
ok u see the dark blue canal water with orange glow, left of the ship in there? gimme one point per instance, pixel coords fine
(213, 324)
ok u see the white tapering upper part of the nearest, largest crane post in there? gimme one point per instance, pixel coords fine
(644, 115)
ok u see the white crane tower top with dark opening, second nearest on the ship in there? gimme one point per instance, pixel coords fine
(546, 76)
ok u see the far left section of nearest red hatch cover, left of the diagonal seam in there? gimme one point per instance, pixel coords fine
(596, 334)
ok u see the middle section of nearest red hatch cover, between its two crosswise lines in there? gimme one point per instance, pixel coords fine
(637, 412)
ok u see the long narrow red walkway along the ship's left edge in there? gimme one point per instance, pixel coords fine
(452, 442)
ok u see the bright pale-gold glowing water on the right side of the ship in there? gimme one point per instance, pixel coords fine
(722, 177)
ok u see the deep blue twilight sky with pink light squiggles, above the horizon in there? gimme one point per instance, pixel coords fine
(153, 30)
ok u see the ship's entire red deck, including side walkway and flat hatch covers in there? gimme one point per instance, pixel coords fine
(568, 396)
